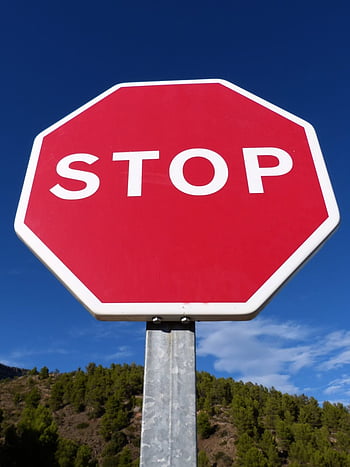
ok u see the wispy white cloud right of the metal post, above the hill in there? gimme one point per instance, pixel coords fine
(273, 354)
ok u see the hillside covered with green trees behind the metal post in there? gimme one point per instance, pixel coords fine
(92, 418)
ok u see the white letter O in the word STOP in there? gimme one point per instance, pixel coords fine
(177, 176)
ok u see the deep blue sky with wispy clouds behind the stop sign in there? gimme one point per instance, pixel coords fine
(56, 56)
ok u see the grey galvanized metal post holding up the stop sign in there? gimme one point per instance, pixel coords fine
(168, 436)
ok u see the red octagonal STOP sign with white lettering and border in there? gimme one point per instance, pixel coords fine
(185, 198)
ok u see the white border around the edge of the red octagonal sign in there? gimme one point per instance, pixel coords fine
(174, 311)
